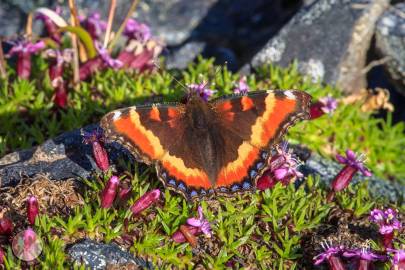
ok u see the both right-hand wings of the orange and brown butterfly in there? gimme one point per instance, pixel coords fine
(255, 122)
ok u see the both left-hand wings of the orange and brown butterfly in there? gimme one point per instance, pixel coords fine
(156, 135)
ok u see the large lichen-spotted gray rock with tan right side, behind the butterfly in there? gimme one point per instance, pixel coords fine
(329, 38)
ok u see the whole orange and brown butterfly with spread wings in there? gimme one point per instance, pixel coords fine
(201, 148)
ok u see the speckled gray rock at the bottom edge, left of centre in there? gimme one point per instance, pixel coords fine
(98, 255)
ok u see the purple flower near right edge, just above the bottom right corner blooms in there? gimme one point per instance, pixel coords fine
(387, 220)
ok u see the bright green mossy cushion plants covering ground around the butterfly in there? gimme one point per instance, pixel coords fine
(271, 229)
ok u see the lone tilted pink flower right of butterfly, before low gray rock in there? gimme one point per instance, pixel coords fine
(353, 165)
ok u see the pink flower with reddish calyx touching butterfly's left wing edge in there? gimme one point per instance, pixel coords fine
(99, 153)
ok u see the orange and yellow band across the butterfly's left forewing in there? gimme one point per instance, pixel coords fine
(144, 139)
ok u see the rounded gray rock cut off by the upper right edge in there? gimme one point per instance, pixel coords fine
(390, 41)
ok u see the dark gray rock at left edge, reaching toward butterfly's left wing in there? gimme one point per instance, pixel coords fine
(63, 157)
